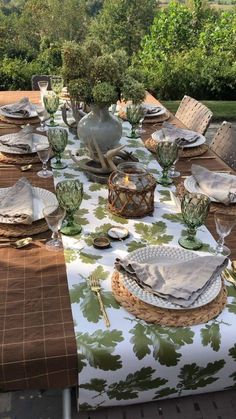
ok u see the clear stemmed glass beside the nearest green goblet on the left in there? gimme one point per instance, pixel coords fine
(54, 216)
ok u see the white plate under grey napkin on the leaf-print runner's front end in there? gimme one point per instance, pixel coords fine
(162, 254)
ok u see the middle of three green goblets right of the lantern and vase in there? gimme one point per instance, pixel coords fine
(166, 155)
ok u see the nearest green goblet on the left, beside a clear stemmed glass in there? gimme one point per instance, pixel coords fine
(70, 194)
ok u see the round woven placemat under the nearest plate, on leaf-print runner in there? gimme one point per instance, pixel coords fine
(167, 317)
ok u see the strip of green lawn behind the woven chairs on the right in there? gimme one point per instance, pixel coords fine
(222, 110)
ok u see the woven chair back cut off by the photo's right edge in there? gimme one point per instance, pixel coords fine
(224, 144)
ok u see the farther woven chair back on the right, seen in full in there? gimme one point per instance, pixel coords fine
(194, 114)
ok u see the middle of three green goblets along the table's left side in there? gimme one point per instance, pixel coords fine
(58, 139)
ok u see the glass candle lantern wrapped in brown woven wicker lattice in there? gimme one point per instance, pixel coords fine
(131, 191)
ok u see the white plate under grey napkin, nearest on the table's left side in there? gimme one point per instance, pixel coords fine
(41, 199)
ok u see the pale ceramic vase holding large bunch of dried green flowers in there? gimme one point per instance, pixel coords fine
(99, 79)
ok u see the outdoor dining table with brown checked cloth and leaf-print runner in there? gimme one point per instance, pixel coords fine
(44, 331)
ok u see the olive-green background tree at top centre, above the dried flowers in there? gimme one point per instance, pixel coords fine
(123, 23)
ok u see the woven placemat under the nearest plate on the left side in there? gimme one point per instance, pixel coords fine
(21, 230)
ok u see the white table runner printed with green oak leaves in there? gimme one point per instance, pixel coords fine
(132, 361)
